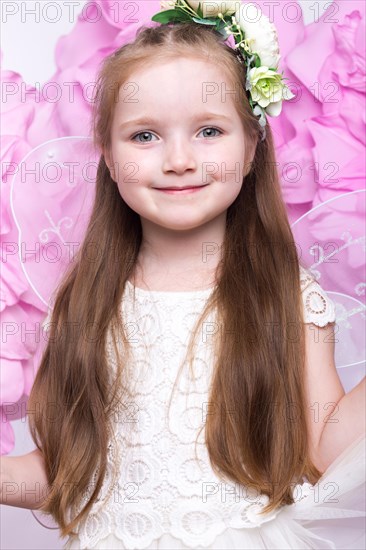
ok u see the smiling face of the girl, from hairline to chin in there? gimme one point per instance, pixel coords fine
(176, 126)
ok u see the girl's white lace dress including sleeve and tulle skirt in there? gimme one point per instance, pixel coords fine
(167, 499)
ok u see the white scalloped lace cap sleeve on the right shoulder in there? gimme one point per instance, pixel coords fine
(318, 307)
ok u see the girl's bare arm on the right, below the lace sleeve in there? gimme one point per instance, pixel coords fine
(335, 419)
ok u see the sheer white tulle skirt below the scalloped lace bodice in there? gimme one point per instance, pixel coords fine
(330, 514)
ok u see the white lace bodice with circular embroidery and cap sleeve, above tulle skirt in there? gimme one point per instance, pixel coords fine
(161, 487)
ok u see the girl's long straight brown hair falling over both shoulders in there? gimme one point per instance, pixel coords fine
(259, 369)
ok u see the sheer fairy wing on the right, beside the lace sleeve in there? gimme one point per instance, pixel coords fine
(330, 240)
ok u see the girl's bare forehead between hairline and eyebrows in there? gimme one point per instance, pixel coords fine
(177, 84)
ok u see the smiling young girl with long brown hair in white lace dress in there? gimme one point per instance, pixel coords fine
(187, 397)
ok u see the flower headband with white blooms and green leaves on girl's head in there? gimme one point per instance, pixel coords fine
(256, 44)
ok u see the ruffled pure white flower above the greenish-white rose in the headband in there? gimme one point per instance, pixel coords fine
(260, 34)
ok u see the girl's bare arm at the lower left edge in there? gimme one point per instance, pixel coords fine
(23, 480)
